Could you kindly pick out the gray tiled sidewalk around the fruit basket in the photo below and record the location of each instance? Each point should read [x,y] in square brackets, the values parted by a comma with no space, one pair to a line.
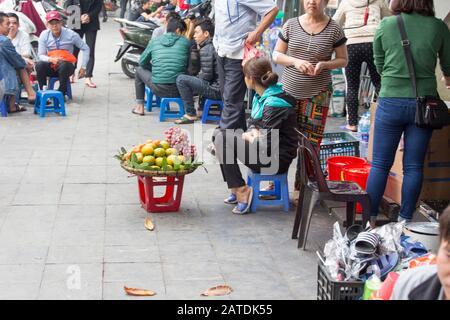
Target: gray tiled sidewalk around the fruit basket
[71,226]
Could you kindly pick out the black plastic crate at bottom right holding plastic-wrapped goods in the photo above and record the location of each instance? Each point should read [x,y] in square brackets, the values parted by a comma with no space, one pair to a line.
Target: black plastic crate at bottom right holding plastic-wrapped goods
[328,289]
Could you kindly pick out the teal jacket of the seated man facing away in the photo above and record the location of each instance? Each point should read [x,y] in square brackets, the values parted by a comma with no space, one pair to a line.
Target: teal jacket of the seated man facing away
[167,56]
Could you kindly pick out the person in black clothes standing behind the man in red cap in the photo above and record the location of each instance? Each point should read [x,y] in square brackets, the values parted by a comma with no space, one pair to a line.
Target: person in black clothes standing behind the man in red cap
[90,24]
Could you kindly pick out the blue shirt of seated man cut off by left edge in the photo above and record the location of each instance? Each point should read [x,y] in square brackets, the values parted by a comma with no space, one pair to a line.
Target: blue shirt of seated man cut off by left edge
[10,61]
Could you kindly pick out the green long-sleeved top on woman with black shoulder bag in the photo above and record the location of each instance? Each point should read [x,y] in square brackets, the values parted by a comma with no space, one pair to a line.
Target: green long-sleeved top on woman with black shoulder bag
[429,38]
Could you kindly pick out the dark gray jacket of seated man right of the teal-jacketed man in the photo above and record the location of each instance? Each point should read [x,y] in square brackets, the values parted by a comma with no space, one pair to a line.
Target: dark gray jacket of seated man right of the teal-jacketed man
[208,64]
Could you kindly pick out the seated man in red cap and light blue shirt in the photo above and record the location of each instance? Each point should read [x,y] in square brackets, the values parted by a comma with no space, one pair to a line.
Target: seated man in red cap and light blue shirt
[59,38]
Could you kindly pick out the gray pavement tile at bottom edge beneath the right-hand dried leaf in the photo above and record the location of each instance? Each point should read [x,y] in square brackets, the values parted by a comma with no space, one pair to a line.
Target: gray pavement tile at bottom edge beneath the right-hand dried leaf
[192,289]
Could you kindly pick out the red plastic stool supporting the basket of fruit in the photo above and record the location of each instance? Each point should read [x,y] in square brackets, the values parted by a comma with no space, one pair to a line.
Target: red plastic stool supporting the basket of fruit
[166,203]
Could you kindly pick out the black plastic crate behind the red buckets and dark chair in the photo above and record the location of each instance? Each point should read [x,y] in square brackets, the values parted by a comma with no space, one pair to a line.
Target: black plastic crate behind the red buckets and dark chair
[337,144]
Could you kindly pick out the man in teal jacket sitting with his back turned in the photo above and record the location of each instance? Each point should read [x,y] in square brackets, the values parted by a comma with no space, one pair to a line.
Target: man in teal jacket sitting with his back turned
[163,60]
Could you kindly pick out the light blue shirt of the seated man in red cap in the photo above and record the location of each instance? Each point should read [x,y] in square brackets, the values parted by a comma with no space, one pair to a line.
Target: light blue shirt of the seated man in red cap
[66,41]
